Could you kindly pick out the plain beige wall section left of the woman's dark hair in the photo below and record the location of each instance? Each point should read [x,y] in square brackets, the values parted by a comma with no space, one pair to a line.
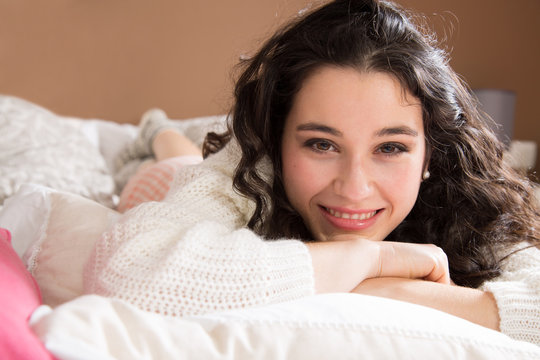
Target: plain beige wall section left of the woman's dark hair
[115,58]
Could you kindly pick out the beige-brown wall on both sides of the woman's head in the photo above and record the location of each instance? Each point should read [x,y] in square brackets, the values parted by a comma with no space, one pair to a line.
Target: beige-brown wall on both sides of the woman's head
[114,59]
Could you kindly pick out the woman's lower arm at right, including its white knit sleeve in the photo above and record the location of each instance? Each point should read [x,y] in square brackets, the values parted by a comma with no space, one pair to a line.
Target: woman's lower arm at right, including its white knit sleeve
[509,303]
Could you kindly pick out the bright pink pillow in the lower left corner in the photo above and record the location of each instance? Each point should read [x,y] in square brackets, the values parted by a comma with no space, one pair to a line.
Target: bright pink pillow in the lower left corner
[19,297]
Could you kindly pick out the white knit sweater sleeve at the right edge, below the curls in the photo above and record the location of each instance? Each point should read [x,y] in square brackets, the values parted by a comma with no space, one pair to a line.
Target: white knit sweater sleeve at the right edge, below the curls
[517,293]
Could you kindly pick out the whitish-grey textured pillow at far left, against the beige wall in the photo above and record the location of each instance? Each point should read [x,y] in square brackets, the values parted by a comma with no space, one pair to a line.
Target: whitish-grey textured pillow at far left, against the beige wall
[40,147]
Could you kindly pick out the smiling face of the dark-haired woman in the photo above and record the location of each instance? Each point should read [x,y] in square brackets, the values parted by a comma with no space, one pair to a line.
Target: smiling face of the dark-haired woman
[353,153]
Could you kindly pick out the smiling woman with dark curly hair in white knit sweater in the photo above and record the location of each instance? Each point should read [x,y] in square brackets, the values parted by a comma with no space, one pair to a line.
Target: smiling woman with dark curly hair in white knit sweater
[349,128]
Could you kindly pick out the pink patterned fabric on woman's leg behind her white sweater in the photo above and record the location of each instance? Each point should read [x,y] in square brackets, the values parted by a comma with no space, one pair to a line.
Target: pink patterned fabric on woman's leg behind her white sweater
[153,182]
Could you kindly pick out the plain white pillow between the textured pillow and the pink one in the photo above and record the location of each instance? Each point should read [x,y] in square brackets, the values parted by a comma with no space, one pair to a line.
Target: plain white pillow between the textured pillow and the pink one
[54,232]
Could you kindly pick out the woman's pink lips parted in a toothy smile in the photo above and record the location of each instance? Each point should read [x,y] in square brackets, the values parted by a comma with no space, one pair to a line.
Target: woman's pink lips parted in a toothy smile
[350,220]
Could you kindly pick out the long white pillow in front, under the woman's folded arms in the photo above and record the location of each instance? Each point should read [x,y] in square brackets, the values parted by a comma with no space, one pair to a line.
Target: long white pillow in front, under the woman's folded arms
[332,326]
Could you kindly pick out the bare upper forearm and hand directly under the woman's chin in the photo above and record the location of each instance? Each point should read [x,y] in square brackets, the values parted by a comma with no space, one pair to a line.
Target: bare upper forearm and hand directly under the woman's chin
[343,263]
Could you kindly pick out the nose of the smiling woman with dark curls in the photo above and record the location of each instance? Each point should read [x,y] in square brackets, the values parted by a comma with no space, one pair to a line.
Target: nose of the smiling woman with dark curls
[353,181]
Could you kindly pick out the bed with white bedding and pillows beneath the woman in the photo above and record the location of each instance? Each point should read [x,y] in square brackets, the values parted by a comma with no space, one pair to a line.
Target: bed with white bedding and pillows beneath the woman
[57,196]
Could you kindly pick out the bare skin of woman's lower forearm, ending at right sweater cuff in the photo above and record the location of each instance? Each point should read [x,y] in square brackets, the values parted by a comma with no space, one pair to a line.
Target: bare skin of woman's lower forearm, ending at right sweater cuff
[471,304]
